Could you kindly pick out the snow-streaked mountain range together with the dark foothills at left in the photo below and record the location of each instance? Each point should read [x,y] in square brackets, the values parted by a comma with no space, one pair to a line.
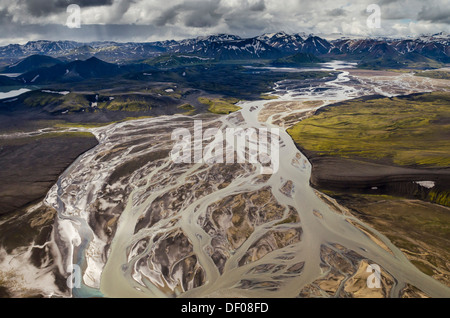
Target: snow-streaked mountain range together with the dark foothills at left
[42,62]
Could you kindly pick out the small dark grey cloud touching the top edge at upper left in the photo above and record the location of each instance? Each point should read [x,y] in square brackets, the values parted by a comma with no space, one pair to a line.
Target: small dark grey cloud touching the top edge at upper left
[40,8]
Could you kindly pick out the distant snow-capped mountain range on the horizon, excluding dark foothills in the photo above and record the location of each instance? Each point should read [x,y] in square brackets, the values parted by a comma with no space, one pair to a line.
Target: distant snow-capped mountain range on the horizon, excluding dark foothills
[231,47]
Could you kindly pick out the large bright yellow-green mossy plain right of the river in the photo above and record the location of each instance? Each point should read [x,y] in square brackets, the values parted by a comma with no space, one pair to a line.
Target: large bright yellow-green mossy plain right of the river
[412,130]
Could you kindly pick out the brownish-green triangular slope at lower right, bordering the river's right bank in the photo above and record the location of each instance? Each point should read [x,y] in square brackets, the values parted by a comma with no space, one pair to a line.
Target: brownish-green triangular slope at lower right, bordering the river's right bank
[420,229]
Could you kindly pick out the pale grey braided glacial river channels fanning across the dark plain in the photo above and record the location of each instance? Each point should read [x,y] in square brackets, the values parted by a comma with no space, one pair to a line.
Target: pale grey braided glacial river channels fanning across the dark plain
[79,188]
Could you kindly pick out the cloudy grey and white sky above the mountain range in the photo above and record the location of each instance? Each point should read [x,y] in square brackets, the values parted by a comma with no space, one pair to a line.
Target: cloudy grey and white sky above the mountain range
[149,20]
